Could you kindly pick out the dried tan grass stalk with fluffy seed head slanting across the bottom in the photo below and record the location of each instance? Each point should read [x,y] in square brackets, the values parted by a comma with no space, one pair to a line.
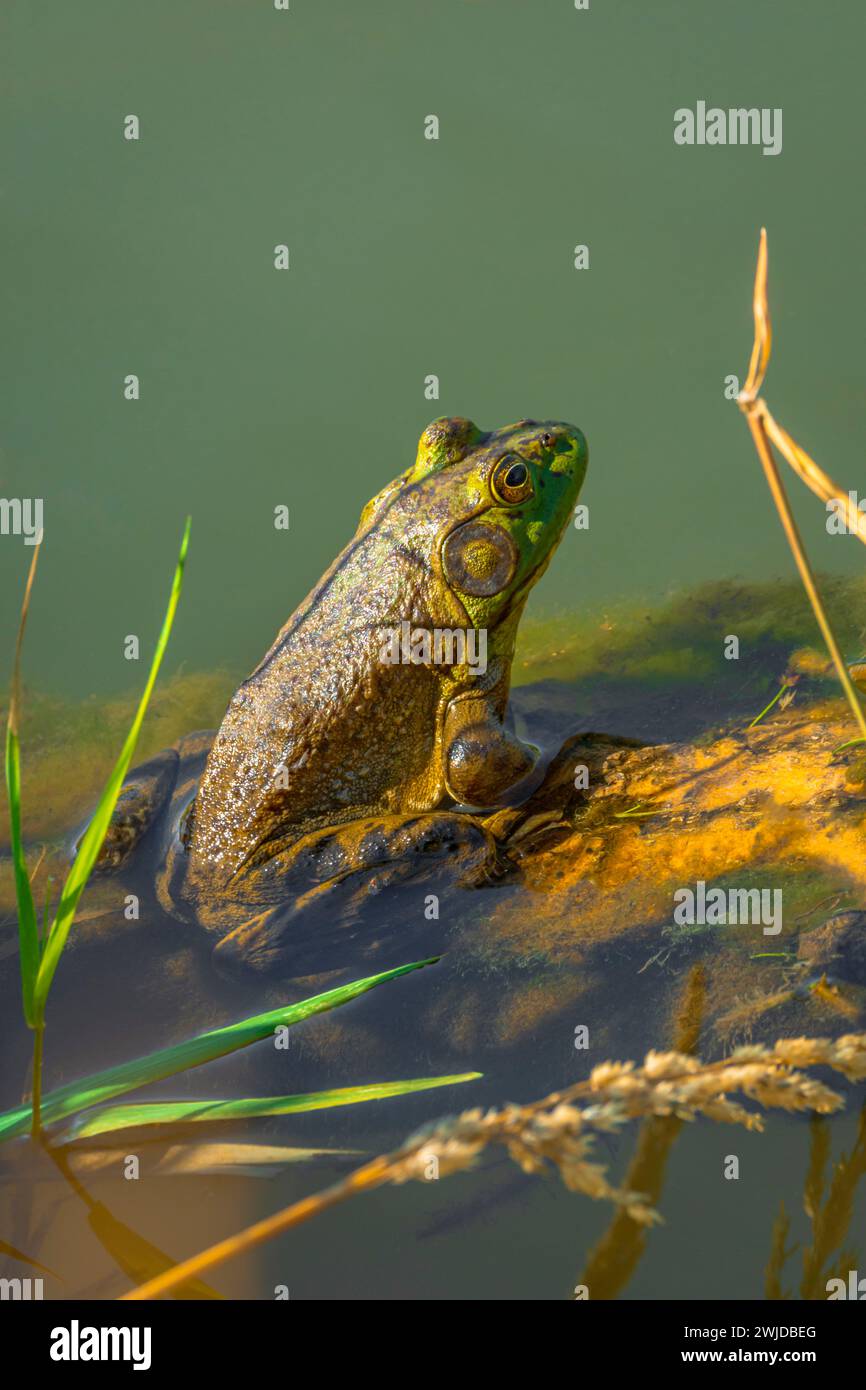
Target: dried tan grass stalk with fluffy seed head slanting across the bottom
[558,1131]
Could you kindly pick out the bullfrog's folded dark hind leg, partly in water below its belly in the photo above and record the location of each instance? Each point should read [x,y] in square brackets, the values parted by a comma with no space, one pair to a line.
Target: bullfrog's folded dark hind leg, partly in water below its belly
[341,871]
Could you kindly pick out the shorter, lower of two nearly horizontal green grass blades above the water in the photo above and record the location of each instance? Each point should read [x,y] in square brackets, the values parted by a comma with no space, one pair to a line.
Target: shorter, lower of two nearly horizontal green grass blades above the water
[113,1118]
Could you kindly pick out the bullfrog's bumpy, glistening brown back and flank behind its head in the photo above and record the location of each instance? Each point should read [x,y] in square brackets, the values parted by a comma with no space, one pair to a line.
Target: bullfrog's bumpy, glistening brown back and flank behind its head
[325,729]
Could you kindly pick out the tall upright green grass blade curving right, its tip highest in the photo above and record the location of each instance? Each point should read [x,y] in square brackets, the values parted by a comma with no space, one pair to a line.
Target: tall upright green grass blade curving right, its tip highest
[95,835]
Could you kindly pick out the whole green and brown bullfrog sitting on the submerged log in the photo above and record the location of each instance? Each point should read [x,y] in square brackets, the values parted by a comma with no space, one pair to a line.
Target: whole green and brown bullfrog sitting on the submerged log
[363,749]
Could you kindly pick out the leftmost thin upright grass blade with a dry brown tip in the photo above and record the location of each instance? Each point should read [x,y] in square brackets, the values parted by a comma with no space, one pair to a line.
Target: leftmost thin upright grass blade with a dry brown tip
[28,928]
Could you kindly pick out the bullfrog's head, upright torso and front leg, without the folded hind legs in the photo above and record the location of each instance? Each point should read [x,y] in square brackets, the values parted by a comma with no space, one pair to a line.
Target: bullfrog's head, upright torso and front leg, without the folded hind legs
[326,732]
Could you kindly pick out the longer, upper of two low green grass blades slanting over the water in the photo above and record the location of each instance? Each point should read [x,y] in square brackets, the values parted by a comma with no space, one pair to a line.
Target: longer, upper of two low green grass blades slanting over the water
[208,1047]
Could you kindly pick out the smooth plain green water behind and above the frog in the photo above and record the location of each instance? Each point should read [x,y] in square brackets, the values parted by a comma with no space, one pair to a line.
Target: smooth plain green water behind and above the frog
[408,258]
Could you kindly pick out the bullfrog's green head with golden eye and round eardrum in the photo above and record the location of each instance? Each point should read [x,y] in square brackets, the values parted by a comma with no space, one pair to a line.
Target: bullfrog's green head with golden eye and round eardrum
[508,498]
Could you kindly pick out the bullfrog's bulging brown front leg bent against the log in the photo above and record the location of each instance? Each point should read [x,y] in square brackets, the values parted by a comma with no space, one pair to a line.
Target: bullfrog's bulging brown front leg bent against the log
[484,761]
